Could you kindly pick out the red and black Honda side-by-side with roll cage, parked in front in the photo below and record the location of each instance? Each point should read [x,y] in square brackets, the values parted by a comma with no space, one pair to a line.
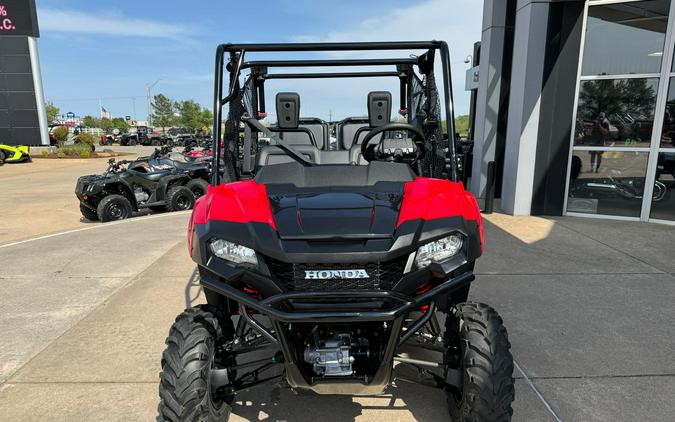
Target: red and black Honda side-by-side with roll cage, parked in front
[337,268]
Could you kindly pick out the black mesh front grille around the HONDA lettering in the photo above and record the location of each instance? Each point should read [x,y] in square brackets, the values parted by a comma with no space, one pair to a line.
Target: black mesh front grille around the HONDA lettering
[382,275]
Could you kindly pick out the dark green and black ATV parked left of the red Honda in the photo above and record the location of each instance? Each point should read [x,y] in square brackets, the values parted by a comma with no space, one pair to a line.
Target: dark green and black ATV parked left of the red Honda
[128,186]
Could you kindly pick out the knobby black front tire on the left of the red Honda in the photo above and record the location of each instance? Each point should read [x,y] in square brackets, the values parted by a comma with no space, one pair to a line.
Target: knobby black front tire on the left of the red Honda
[184,381]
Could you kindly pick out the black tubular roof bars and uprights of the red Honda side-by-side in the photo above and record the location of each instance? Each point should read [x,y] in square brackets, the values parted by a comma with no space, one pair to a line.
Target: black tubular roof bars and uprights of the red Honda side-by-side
[238,51]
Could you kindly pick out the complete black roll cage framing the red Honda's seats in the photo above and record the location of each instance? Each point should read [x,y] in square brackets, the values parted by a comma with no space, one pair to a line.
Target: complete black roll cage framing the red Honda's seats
[237,63]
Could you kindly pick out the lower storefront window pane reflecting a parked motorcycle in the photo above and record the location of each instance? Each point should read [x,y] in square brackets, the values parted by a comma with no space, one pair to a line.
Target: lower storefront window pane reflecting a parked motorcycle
[607,182]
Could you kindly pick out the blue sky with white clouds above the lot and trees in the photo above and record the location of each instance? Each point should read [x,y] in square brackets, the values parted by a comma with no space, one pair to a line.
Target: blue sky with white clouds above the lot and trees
[111,51]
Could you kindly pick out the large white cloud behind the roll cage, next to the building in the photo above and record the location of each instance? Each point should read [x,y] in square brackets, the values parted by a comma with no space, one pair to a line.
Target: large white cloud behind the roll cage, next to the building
[458,22]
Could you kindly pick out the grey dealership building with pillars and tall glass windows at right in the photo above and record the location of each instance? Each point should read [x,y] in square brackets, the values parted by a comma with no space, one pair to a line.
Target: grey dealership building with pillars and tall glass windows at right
[575,106]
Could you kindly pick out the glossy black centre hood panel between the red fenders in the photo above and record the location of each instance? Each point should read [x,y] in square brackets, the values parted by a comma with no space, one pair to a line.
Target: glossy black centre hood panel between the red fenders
[346,213]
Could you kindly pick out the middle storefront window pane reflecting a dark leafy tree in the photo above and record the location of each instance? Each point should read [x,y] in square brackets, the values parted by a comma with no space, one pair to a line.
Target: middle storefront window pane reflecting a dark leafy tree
[616,112]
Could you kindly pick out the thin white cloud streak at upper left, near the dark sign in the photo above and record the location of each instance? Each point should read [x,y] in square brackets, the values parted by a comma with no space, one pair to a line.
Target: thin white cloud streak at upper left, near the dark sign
[106,23]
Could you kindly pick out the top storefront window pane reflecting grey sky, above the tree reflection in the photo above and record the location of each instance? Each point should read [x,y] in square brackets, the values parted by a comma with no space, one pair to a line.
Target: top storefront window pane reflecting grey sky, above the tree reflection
[625,38]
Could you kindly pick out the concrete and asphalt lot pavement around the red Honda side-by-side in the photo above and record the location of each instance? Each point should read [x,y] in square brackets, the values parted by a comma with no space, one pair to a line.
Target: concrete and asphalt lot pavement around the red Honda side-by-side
[86,308]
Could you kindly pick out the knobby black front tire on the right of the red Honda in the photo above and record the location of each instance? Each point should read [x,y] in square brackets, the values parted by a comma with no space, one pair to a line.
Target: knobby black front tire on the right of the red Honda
[486,361]
